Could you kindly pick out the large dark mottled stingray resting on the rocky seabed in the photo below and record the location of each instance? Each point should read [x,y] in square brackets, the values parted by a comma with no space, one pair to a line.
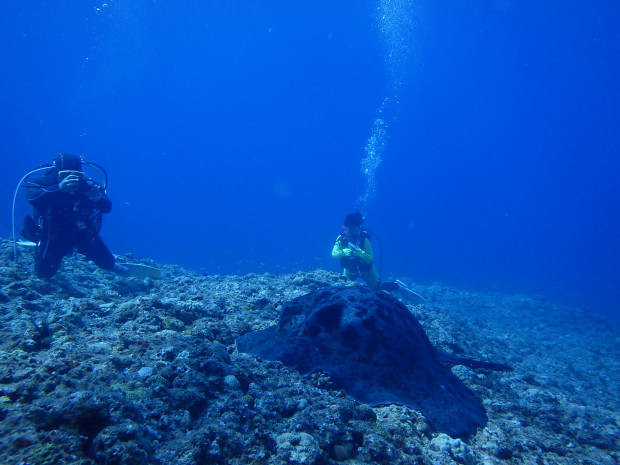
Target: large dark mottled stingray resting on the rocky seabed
[373,347]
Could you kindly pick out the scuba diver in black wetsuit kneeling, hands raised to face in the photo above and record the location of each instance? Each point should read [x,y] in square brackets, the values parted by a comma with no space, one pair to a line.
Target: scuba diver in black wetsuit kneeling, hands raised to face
[67,212]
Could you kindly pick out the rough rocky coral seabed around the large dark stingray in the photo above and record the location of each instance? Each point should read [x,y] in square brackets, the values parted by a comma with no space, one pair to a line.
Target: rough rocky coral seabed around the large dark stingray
[96,368]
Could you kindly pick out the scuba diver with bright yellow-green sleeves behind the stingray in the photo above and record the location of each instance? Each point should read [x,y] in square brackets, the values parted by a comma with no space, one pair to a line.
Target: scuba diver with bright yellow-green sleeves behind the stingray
[354,251]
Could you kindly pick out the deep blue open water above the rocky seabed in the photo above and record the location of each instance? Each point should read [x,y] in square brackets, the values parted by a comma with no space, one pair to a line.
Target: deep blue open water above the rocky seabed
[479,138]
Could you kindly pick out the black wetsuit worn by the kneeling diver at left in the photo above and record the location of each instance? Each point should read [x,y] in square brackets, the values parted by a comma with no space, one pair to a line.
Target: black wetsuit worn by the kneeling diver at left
[67,222]
